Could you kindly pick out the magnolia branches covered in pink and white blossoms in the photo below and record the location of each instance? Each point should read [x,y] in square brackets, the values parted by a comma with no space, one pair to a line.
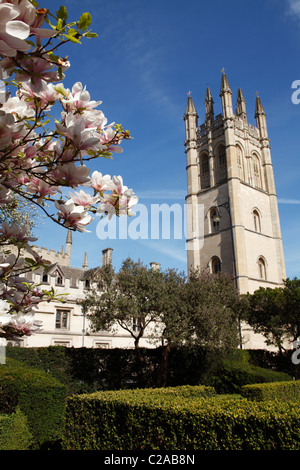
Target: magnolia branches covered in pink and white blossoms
[40,155]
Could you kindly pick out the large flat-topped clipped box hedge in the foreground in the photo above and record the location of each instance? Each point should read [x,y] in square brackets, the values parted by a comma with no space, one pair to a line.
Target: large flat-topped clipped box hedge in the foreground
[162,420]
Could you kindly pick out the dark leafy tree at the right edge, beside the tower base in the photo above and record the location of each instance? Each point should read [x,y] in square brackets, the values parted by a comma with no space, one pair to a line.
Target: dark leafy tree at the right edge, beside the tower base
[275,313]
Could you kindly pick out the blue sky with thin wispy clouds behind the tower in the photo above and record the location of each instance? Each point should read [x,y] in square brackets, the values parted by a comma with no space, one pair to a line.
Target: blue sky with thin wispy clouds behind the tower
[147,57]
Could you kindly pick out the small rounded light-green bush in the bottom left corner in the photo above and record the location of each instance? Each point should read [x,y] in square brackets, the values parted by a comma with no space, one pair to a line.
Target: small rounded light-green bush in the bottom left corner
[14,432]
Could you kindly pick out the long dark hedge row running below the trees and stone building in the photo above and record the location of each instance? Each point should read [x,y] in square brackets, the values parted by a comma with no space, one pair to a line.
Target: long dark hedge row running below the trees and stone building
[85,370]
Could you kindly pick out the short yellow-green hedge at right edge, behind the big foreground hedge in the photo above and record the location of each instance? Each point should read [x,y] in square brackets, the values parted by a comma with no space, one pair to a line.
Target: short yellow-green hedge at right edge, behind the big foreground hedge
[289,390]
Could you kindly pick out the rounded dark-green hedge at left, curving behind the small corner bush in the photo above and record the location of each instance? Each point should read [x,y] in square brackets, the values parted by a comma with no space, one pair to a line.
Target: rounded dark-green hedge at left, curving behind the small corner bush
[39,396]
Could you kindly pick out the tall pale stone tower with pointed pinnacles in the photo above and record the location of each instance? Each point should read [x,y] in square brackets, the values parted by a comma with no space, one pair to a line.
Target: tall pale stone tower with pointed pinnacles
[230,176]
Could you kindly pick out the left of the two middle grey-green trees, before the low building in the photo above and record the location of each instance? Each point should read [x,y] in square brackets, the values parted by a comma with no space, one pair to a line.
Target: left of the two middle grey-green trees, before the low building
[131,299]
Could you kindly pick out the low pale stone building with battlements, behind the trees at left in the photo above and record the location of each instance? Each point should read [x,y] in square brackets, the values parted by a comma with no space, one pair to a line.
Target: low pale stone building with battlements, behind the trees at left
[66,324]
